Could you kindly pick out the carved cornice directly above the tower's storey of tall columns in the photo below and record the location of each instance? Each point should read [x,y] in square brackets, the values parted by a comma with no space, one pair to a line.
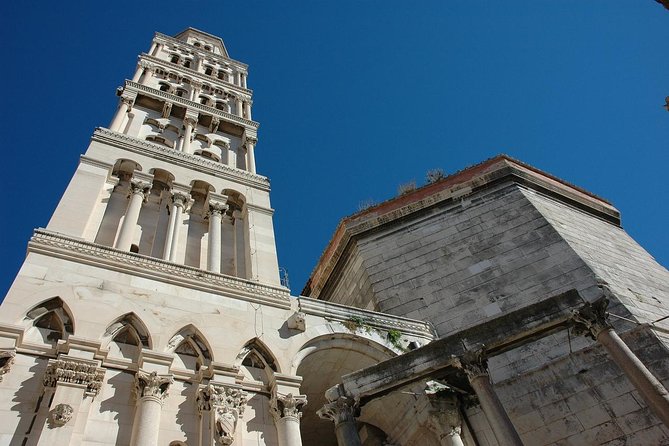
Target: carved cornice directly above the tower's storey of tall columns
[194,162]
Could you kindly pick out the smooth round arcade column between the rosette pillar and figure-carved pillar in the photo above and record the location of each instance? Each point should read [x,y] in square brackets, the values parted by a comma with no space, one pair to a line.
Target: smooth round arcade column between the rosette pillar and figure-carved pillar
[151,391]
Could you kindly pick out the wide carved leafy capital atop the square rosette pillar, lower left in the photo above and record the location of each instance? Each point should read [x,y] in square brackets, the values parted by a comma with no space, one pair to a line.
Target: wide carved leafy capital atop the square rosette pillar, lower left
[74,372]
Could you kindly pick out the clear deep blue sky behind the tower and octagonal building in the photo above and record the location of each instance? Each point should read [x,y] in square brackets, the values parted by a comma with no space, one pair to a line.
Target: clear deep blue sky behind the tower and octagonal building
[356,97]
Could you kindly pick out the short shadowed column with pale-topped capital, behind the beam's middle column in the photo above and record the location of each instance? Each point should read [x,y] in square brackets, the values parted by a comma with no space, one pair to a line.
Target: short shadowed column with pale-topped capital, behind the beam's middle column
[445,413]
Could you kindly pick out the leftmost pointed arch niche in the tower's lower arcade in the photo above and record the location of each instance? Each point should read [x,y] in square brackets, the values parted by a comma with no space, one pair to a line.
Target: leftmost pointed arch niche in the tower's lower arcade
[49,321]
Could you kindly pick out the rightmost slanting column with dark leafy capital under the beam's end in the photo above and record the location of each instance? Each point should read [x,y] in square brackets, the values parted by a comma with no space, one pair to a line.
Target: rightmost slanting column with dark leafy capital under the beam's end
[592,320]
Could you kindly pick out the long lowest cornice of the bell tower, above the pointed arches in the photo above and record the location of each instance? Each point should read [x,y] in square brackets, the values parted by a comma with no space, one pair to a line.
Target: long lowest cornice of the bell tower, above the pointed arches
[76,250]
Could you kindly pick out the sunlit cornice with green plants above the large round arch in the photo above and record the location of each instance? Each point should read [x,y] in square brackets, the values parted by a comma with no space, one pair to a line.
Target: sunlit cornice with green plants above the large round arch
[342,313]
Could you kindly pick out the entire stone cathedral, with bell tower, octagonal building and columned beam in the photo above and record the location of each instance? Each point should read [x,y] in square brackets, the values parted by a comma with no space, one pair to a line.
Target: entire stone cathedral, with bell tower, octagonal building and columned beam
[496,306]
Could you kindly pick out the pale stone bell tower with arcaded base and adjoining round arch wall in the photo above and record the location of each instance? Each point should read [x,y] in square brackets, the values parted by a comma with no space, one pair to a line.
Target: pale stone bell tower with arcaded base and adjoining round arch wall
[150,311]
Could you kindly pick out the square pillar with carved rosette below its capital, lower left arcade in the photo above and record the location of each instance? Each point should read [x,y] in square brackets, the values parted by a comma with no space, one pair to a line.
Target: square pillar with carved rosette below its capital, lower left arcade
[71,384]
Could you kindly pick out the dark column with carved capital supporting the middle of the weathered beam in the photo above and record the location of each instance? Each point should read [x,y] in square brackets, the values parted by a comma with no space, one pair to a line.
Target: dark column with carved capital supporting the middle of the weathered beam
[475,366]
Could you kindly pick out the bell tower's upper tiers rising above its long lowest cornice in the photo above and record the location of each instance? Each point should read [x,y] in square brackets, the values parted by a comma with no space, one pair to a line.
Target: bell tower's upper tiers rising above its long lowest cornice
[174,176]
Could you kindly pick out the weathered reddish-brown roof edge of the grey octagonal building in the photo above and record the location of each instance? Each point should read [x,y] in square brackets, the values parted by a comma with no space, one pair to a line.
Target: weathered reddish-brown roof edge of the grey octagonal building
[459,184]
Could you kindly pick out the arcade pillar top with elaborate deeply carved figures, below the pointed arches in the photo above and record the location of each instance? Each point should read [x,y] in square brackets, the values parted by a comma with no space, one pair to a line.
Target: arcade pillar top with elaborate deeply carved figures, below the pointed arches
[224,406]
